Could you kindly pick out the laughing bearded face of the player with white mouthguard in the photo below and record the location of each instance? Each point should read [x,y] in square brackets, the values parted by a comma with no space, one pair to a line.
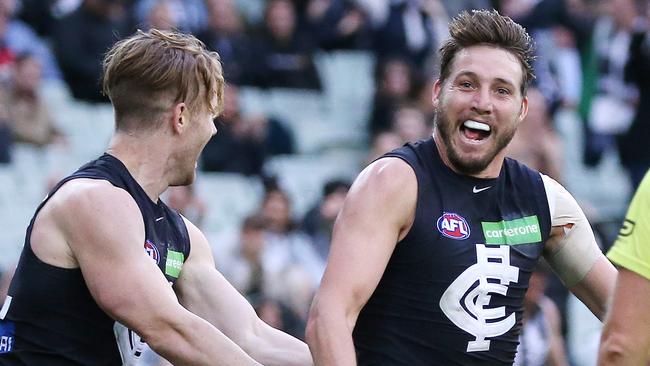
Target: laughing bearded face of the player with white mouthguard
[478,107]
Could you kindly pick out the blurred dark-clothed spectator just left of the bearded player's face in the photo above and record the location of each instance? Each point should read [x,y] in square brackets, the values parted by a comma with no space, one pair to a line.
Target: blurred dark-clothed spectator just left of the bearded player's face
[394,81]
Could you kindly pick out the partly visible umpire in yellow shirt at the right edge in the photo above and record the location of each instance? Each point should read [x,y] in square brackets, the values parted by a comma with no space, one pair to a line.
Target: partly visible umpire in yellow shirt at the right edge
[626,336]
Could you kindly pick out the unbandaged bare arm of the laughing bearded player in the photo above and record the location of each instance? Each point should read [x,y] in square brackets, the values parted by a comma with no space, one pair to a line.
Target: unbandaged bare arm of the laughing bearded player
[378,212]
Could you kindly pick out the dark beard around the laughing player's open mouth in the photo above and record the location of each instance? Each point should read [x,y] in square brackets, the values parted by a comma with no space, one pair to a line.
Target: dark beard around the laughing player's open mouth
[471,167]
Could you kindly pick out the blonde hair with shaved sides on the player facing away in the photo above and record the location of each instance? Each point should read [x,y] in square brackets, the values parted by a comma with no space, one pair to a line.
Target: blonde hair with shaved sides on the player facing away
[145,73]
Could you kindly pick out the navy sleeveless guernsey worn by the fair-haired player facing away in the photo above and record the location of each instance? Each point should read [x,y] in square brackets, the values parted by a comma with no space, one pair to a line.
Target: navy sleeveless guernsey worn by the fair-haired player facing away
[50,318]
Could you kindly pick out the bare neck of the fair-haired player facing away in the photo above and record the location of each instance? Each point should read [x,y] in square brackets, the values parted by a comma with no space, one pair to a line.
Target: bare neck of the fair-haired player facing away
[146,160]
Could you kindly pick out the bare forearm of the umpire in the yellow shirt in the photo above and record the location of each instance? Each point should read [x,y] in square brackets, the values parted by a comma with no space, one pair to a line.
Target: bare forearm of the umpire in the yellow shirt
[626,336]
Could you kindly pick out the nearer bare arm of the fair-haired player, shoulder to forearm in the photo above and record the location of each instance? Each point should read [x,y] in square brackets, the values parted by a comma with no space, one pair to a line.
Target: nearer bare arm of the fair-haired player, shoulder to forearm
[105,232]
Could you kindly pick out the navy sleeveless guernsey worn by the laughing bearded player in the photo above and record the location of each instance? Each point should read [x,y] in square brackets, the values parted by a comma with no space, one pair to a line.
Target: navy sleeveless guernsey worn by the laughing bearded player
[452,292]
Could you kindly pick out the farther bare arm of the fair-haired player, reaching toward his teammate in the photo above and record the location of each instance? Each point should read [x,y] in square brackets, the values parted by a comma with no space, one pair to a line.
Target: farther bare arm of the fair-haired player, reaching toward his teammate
[205,292]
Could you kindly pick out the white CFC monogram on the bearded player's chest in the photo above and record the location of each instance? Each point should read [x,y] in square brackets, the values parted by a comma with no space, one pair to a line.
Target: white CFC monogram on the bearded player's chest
[472,313]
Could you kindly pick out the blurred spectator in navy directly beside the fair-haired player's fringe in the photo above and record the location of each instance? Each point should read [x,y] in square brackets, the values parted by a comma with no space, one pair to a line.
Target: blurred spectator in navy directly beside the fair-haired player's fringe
[225,34]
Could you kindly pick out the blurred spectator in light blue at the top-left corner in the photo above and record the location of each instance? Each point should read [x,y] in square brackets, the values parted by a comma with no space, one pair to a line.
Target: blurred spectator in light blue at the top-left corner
[18,37]
